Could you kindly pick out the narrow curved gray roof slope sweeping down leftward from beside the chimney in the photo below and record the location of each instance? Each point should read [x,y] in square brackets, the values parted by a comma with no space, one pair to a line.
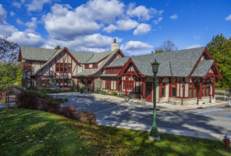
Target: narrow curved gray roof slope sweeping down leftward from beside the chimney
[87,72]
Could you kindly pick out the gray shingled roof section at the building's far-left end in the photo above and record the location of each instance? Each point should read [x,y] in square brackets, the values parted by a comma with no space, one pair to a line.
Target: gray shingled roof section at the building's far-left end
[38,54]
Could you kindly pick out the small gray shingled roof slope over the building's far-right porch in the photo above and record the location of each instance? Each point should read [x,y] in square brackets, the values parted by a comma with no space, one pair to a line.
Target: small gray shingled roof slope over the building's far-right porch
[202,68]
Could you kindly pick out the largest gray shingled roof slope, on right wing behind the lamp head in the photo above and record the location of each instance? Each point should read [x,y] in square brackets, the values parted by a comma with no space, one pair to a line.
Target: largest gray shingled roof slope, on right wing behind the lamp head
[182,62]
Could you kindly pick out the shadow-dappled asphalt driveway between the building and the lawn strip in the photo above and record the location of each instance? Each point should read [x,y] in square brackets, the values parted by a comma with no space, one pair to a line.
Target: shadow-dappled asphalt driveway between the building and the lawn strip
[210,120]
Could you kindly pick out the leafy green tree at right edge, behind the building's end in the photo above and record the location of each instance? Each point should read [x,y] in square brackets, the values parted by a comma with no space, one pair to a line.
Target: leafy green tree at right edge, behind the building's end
[220,50]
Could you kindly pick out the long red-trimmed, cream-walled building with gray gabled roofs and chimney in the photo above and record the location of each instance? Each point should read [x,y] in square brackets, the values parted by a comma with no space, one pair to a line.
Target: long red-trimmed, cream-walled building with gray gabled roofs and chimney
[184,77]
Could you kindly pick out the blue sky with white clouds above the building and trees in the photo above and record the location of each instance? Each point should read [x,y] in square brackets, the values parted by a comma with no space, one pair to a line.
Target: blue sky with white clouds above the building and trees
[90,26]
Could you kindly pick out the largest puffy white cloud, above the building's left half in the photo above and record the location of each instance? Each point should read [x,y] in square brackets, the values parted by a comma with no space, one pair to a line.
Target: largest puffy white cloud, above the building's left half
[66,25]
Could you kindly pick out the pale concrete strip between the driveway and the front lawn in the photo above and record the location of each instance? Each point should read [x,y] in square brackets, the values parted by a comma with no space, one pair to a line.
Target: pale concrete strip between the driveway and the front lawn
[142,127]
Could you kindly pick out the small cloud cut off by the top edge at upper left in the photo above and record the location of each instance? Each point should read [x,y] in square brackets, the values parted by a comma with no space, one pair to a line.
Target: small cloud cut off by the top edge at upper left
[37,5]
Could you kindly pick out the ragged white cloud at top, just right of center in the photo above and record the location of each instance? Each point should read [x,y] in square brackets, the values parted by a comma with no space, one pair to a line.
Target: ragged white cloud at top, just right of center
[142,12]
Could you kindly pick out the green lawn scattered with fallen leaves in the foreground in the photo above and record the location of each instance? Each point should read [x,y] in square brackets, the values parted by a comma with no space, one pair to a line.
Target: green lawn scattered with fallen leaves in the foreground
[29,132]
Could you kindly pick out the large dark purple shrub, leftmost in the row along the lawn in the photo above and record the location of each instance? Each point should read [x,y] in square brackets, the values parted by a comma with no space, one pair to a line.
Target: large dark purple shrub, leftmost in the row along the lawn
[27,100]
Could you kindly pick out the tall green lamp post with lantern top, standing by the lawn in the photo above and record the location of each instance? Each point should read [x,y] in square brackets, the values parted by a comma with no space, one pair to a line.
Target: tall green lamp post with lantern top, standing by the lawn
[154,135]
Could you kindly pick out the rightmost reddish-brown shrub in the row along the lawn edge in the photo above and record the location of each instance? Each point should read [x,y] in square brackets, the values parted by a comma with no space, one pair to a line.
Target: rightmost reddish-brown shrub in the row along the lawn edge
[87,118]
